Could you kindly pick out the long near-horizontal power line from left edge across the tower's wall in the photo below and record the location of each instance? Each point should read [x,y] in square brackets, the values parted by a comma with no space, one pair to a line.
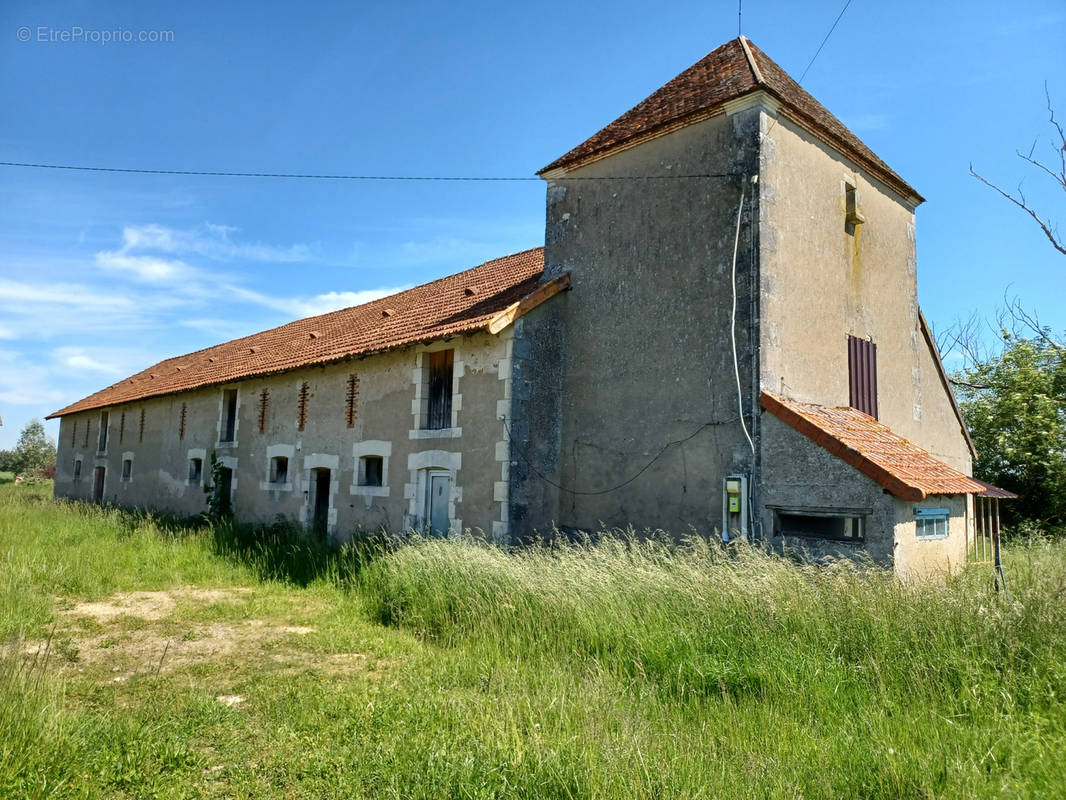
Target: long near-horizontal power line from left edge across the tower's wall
[328,177]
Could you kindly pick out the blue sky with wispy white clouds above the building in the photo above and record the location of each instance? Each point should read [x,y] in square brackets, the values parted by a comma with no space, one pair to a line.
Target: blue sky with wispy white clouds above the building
[103,275]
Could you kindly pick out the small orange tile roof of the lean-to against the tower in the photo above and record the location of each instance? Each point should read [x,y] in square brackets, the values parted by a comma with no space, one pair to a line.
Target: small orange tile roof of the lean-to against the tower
[903,469]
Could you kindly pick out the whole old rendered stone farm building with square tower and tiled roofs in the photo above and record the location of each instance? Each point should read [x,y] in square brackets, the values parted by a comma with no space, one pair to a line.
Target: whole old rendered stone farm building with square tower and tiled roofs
[721,333]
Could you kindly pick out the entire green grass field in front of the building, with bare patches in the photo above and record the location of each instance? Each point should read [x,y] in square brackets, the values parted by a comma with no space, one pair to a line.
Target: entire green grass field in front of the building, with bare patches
[147,659]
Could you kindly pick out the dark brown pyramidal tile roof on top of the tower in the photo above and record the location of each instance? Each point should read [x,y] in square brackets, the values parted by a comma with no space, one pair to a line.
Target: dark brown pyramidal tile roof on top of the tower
[701,91]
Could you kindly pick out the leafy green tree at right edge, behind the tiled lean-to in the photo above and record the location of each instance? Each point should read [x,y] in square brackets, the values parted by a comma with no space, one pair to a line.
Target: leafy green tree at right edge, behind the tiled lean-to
[1015,407]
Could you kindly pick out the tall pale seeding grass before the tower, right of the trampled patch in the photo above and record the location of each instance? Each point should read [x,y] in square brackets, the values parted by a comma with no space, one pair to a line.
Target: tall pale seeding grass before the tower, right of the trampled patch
[907,690]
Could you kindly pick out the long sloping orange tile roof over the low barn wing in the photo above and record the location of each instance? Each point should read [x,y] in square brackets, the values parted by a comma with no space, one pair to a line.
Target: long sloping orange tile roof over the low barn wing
[462,303]
